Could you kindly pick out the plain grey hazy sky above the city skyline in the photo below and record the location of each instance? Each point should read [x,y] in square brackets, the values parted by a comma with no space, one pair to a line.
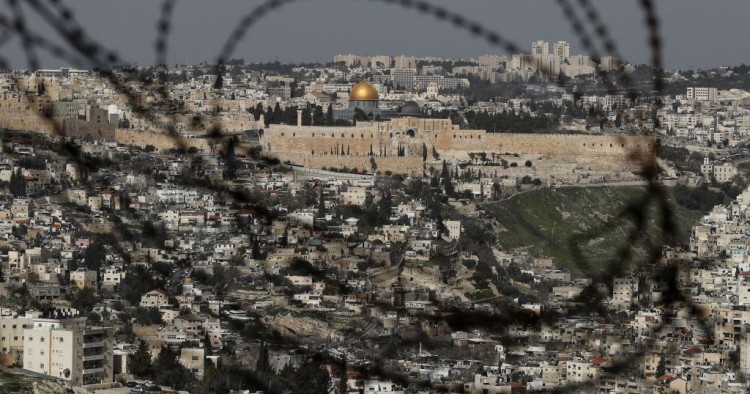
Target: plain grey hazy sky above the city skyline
[696,33]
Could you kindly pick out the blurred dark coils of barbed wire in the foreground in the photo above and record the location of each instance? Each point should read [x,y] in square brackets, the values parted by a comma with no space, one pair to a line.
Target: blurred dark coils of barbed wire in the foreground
[87,53]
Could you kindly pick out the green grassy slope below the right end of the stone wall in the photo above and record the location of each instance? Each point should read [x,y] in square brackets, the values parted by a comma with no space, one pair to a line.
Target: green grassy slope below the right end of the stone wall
[594,221]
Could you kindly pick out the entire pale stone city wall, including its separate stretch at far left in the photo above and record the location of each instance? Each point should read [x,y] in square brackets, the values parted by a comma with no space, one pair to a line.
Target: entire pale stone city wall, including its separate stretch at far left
[396,145]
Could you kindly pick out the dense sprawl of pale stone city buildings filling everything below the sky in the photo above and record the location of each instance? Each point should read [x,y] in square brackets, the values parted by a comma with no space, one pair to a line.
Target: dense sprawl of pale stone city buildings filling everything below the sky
[212,242]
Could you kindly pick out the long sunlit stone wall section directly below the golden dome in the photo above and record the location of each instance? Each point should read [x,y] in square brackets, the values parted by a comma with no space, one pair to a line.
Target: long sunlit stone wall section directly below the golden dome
[314,146]
